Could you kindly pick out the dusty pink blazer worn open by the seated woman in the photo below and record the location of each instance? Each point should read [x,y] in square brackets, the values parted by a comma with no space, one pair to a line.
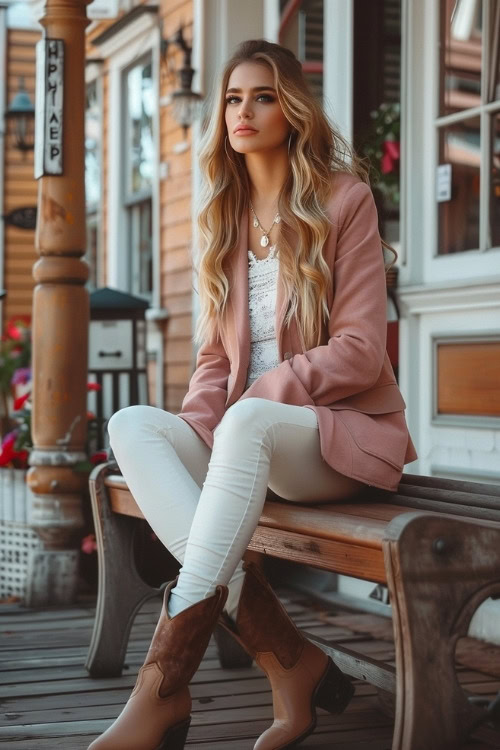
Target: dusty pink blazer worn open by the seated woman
[348,380]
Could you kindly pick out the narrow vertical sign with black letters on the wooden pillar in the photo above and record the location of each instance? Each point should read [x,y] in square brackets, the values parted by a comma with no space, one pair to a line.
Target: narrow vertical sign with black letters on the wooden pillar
[49,107]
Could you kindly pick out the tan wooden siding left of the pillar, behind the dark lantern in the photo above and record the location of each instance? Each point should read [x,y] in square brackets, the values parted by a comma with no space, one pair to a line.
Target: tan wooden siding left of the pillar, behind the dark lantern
[20,186]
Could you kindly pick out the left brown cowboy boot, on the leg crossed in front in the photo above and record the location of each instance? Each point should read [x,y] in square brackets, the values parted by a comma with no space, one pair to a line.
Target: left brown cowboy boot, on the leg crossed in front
[158,712]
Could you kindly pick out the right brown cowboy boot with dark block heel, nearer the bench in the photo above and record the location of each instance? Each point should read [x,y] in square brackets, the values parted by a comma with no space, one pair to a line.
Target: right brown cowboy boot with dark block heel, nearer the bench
[302,676]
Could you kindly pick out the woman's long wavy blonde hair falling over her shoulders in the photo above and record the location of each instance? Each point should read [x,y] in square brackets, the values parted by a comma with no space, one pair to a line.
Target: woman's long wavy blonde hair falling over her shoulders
[316,150]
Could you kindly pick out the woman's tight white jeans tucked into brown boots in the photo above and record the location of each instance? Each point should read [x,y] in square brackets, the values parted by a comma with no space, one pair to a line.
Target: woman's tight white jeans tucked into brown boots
[205,505]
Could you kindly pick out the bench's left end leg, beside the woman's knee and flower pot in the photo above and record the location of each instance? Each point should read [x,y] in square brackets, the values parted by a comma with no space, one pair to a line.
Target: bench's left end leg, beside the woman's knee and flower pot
[121,591]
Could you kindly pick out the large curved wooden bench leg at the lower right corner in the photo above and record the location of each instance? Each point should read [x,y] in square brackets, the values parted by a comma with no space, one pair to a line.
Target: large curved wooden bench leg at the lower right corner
[439,569]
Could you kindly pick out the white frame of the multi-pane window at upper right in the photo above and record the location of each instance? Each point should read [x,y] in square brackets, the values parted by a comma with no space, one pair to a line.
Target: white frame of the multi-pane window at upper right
[419,230]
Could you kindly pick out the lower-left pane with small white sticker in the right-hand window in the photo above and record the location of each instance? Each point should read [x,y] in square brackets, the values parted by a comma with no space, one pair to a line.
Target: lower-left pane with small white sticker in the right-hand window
[459,217]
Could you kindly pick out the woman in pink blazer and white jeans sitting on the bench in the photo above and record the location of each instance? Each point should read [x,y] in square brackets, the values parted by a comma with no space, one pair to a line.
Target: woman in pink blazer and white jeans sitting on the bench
[293,315]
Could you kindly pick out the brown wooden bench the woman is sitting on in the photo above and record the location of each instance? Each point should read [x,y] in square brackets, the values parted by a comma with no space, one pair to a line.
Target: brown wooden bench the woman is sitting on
[435,543]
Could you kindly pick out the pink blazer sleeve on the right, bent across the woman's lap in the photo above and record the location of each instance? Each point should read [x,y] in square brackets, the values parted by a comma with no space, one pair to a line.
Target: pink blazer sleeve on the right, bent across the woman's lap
[352,359]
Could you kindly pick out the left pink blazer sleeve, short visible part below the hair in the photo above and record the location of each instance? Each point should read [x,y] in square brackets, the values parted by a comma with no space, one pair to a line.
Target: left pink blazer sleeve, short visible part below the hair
[205,402]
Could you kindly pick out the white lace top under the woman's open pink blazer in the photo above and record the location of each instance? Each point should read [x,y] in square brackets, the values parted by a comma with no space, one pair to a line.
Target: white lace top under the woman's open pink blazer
[262,287]
